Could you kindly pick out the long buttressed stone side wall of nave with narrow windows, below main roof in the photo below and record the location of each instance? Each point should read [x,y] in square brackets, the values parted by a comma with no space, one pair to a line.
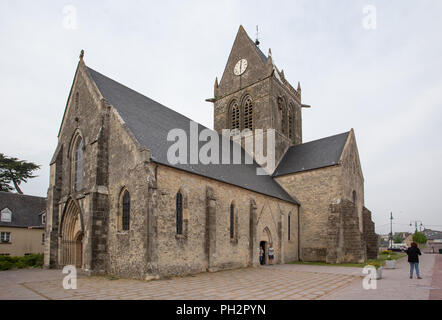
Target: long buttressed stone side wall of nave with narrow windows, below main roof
[206,244]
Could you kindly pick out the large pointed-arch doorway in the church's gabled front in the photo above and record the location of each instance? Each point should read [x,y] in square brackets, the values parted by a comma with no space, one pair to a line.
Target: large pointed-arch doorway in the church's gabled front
[71,236]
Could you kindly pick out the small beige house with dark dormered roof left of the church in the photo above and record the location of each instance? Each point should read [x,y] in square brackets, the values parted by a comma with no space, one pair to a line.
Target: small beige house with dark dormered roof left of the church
[22,219]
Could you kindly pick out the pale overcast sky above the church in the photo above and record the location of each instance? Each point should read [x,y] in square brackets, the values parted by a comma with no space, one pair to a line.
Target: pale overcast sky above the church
[386,83]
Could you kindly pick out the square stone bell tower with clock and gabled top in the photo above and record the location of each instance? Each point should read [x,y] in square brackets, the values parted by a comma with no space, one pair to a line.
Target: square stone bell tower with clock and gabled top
[254,94]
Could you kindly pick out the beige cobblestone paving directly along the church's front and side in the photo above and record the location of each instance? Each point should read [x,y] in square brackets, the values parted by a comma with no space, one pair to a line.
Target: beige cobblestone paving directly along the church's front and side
[270,282]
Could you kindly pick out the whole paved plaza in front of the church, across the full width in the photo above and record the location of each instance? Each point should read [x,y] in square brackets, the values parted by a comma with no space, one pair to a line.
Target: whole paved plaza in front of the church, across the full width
[297,282]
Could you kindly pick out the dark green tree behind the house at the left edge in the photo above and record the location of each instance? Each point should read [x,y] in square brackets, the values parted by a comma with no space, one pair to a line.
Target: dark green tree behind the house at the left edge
[14,171]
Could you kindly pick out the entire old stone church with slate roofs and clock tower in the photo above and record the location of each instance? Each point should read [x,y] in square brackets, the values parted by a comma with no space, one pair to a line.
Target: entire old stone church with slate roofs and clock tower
[116,205]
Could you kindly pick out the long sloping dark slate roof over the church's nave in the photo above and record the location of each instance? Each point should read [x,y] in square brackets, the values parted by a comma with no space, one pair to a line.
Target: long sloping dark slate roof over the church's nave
[150,123]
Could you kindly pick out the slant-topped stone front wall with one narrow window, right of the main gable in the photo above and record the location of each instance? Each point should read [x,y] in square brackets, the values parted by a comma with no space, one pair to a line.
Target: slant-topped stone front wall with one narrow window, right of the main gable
[128,170]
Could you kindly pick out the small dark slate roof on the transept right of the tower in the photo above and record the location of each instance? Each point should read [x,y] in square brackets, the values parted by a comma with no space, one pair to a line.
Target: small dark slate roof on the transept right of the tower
[312,155]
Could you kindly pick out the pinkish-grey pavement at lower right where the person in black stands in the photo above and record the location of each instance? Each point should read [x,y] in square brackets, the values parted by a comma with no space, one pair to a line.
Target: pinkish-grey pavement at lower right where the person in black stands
[396,283]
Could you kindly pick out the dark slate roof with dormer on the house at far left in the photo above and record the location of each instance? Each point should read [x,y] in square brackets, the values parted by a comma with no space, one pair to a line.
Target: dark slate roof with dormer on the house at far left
[26,210]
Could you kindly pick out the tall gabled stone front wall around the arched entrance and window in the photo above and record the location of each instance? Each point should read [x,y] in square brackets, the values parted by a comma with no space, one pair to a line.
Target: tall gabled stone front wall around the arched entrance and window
[84,115]
